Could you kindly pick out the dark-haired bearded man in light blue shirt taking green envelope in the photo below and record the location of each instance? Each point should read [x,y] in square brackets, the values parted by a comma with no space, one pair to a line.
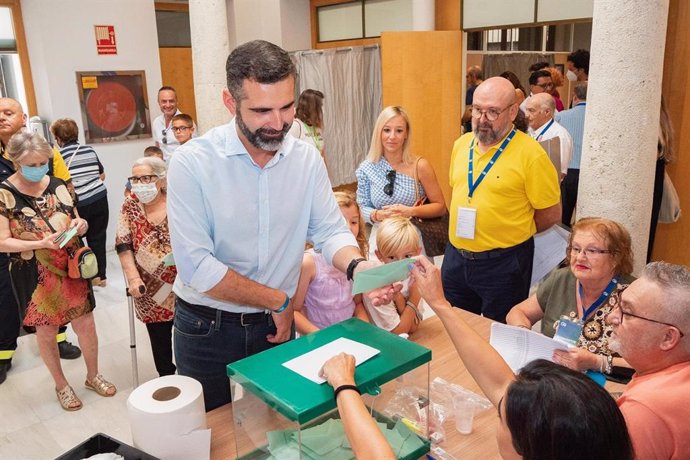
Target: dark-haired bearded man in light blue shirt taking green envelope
[242,201]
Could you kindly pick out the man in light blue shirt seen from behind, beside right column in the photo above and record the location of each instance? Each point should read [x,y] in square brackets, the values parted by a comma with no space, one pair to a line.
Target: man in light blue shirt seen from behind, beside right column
[574,121]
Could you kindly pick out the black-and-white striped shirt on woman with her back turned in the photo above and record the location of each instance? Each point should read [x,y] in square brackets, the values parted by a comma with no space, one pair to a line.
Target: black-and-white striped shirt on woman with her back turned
[85,169]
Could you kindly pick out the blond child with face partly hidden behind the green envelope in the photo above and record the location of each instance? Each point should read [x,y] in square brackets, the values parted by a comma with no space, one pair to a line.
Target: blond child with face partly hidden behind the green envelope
[397,239]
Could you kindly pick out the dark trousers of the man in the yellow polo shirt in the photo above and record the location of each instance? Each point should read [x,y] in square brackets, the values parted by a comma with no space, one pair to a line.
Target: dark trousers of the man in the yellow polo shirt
[491,283]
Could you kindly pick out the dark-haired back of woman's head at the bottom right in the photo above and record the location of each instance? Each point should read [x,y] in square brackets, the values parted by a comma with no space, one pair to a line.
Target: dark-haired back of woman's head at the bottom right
[556,413]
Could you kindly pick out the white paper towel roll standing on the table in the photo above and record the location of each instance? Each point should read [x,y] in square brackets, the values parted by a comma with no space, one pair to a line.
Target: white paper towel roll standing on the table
[168,419]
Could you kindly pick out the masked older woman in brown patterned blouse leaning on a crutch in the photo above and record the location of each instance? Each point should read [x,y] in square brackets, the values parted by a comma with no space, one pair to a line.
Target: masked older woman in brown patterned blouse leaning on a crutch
[142,243]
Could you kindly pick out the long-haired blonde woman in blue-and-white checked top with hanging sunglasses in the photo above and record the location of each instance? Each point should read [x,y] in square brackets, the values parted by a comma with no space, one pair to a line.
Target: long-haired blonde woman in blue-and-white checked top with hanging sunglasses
[391,180]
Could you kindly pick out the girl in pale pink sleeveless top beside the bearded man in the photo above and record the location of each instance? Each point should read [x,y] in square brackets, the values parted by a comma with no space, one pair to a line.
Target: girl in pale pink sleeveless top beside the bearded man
[324,294]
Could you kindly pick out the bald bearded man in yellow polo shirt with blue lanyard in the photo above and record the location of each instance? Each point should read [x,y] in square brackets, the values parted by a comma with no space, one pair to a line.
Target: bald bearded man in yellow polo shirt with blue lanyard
[505,189]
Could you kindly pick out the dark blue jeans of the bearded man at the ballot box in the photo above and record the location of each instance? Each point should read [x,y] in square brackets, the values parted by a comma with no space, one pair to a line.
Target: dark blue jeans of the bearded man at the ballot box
[207,340]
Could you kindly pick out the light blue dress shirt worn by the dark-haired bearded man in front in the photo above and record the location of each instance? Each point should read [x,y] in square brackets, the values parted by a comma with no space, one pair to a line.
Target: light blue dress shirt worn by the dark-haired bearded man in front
[225,211]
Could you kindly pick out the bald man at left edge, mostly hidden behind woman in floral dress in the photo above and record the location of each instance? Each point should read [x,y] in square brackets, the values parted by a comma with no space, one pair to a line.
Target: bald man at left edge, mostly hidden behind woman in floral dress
[12,120]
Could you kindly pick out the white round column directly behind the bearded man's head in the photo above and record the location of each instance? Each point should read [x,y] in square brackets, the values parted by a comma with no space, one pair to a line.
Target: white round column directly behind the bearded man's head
[210,48]
